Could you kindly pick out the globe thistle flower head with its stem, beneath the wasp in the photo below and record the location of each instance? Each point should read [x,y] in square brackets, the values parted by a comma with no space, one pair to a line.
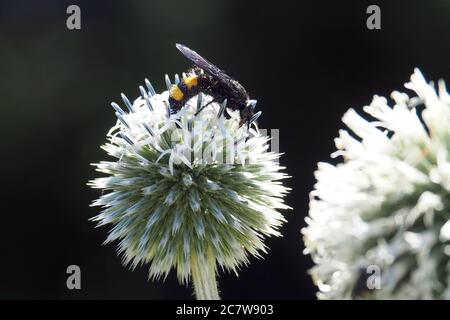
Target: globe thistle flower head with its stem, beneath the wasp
[190,191]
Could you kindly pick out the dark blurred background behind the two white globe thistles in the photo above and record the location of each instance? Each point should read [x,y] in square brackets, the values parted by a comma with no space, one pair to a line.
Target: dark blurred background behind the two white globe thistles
[305,61]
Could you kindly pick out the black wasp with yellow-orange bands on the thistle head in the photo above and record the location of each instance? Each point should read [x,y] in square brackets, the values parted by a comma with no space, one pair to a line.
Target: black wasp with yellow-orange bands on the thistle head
[206,78]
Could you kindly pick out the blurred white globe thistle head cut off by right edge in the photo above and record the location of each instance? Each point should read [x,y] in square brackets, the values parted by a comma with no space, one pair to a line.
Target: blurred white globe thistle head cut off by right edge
[386,207]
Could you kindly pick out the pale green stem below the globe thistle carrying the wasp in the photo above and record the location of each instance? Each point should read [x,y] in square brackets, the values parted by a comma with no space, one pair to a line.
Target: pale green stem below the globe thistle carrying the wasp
[204,277]
